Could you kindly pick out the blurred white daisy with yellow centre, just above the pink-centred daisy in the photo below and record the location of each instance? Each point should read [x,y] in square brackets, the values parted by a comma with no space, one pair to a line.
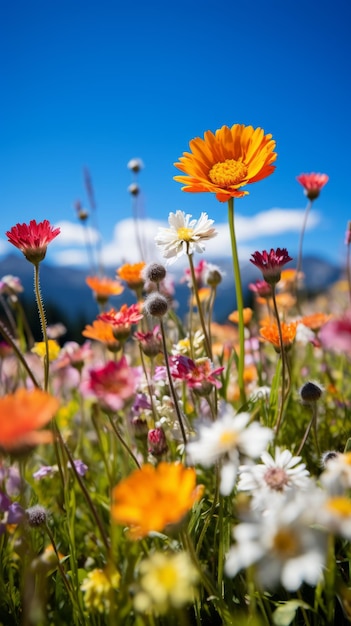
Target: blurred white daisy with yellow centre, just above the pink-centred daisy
[229,438]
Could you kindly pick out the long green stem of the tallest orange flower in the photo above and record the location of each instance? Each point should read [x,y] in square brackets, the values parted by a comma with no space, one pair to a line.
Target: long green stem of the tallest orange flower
[239,300]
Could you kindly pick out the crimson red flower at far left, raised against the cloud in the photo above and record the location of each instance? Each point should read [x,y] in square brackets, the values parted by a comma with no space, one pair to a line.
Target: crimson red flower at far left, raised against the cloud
[32,239]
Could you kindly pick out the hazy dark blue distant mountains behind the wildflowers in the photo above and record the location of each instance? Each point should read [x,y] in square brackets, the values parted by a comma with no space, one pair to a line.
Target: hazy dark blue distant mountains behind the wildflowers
[65,289]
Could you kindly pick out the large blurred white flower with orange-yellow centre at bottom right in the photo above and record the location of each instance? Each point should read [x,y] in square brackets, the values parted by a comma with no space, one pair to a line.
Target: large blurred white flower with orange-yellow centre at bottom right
[284,546]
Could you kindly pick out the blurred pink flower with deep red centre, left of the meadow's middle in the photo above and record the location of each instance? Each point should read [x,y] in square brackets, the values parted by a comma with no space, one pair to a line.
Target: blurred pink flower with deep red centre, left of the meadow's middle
[112,384]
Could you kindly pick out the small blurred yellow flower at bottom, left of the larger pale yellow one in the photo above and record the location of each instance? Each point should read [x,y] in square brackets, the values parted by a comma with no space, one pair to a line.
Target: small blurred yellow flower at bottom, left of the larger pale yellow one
[98,586]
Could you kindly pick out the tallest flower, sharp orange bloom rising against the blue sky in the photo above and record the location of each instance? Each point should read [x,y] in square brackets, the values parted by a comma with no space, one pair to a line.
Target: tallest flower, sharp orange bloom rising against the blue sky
[224,162]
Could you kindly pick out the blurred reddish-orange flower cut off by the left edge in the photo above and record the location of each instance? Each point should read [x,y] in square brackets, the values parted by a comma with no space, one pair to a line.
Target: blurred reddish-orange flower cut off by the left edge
[21,414]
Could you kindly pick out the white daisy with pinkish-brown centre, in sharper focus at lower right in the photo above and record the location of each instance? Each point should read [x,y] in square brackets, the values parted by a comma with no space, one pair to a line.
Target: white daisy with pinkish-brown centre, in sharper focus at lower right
[273,477]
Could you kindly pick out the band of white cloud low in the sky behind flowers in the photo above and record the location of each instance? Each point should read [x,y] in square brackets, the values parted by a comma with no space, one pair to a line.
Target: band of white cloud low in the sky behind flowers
[132,242]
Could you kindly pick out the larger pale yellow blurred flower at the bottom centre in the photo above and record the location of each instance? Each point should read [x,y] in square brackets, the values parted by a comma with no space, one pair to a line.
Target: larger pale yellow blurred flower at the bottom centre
[167,582]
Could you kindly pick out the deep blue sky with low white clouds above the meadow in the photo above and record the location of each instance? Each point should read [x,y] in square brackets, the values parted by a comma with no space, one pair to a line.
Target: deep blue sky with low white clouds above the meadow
[97,83]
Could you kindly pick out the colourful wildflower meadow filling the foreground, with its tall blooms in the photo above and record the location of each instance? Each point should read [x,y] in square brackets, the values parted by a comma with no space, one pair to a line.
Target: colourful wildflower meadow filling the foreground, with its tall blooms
[174,470]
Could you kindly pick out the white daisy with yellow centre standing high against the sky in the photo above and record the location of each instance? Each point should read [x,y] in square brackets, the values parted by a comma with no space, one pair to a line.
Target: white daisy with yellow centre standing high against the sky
[185,235]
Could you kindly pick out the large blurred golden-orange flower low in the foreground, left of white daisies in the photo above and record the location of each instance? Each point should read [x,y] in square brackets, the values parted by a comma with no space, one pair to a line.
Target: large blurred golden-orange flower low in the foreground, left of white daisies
[153,497]
